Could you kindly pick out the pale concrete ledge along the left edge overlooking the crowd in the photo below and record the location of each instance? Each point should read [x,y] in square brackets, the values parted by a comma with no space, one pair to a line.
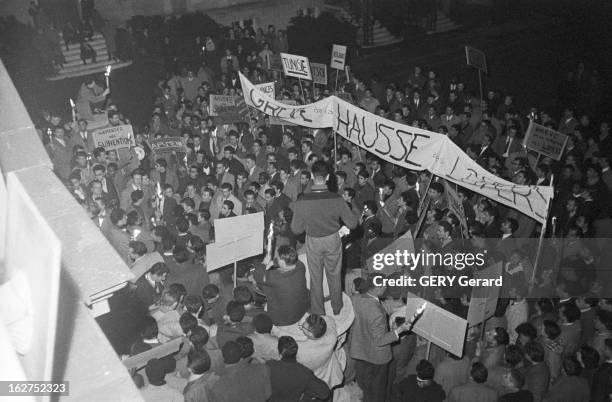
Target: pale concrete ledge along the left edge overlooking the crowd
[90,268]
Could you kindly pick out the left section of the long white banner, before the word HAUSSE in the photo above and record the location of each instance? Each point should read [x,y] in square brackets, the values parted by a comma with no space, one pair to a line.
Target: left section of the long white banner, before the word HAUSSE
[315,115]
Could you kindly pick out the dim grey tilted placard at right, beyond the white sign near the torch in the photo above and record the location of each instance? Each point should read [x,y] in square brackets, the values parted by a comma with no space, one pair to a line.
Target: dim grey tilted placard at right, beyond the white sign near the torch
[483,301]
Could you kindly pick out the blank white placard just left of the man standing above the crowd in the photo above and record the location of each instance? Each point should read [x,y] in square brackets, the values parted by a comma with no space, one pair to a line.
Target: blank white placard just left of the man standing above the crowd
[236,238]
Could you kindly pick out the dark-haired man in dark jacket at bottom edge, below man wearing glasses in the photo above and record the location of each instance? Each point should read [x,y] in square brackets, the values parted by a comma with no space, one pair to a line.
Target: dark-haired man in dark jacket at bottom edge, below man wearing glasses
[291,381]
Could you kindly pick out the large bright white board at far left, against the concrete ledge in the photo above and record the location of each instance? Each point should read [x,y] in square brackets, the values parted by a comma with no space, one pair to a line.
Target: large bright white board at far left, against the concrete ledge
[29,296]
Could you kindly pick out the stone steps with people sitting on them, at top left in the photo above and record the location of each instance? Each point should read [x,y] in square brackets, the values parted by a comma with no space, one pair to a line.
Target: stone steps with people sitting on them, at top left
[74,66]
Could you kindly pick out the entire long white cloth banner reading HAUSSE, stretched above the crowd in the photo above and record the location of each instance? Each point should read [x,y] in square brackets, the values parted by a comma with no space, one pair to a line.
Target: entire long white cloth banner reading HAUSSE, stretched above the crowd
[406,146]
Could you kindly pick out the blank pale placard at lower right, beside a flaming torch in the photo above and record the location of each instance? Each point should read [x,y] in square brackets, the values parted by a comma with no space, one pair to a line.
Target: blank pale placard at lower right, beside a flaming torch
[438,325]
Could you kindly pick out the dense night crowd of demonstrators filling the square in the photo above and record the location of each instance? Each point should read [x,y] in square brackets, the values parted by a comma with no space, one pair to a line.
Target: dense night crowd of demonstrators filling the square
[286,332]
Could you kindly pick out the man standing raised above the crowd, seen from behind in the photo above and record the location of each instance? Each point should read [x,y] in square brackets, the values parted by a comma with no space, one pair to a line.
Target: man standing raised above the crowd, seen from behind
[318,213]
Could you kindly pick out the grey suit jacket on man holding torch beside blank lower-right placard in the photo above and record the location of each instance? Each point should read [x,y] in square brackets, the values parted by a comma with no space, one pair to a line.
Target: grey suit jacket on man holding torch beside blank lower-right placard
[370,338]
